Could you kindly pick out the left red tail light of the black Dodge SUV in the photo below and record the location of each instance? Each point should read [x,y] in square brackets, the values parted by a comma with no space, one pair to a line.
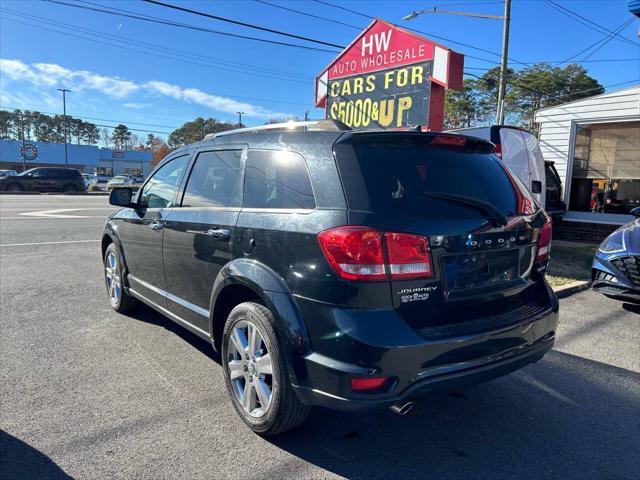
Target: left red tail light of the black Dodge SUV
[363,253]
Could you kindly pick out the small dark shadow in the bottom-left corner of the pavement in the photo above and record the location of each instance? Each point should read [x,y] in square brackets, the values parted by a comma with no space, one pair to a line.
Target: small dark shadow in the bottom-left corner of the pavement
[20,461]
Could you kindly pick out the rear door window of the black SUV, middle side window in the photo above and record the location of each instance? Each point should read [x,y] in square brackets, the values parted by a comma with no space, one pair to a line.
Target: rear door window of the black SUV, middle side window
[214,180]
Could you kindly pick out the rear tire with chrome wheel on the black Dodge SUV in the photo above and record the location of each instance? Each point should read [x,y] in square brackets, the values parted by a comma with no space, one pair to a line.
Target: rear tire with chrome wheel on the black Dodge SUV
[284,410]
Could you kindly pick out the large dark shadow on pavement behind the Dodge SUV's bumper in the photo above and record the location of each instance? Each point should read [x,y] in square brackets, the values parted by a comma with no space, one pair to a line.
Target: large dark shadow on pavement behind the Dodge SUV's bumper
[565,417]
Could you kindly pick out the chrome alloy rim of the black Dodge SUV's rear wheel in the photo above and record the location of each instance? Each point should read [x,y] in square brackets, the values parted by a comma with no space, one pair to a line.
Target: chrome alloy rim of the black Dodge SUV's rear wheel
[249,364]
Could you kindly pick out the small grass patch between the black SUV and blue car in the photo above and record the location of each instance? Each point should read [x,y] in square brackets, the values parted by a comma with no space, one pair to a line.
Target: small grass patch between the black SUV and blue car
[570,264]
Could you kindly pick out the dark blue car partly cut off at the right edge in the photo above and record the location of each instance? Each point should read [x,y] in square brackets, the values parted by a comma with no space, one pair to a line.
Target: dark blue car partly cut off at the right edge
[616,265]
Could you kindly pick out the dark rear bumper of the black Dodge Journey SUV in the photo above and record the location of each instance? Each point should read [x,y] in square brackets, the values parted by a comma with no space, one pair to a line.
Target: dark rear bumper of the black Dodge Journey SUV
[421,367]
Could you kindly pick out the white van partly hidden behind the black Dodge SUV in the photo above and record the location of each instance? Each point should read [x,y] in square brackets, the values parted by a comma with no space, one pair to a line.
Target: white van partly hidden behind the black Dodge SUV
[520,150]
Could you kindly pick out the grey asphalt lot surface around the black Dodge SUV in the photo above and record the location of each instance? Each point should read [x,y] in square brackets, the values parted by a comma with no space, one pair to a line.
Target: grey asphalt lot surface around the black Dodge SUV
[88,393]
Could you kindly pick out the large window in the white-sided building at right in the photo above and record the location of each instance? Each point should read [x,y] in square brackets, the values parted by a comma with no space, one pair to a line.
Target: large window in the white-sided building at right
[606,168]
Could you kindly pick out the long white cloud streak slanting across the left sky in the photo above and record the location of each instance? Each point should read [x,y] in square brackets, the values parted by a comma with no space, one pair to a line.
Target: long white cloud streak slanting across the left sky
[51,75]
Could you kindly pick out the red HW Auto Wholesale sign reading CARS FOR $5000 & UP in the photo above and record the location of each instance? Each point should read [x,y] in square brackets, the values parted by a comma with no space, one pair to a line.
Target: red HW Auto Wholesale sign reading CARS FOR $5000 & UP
[389,77]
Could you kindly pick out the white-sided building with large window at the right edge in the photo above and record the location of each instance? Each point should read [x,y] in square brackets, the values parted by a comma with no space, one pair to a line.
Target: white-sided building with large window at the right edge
[595,144]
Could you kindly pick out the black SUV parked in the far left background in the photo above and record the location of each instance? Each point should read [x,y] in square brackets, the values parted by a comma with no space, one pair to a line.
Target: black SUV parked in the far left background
[44,180]
